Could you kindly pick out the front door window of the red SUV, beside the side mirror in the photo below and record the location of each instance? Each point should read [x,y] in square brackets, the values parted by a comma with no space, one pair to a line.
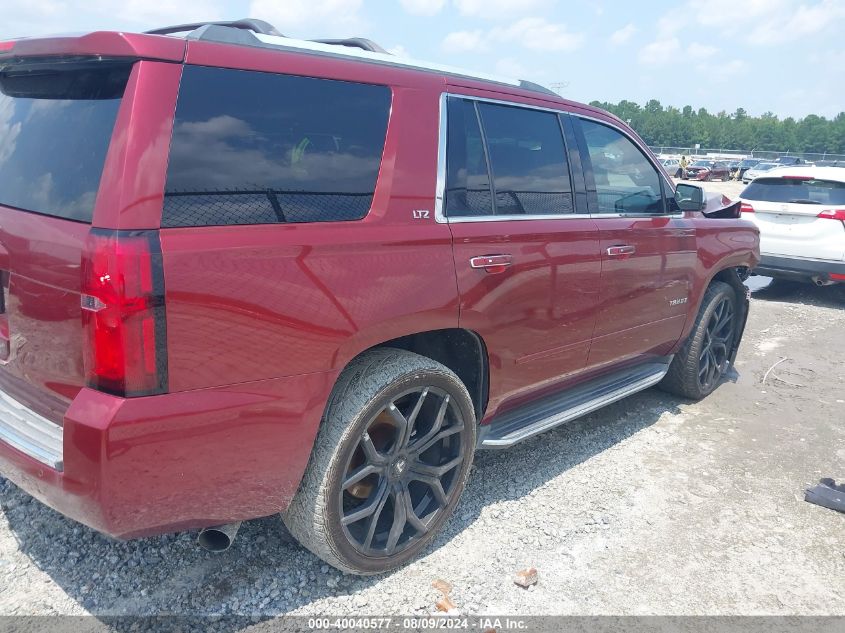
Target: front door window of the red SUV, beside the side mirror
[625,180]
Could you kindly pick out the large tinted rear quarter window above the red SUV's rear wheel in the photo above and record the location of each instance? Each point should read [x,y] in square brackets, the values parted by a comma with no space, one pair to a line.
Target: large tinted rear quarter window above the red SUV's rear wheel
[260,148]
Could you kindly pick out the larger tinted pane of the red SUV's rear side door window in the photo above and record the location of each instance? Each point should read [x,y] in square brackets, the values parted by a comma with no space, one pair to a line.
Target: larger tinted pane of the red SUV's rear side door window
[527,160]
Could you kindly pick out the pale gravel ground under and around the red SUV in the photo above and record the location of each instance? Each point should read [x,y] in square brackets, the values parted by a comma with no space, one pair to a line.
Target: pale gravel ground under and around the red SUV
[652,506]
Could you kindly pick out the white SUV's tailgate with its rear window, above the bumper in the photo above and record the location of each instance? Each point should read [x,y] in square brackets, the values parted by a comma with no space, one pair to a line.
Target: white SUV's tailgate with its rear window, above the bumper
[798,216]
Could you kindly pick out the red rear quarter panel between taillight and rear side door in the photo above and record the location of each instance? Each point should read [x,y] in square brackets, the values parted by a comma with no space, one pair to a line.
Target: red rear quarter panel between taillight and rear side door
[265,301]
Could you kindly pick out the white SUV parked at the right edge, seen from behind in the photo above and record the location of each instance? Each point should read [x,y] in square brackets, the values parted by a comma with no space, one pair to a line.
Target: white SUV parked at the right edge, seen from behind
[800,212]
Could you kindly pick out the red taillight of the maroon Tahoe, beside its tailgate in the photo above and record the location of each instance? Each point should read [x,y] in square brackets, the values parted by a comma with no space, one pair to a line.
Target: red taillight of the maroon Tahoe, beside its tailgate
[123,313]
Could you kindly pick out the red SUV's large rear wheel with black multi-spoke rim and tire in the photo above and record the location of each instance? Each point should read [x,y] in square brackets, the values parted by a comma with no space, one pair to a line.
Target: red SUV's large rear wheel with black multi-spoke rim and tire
[361,433]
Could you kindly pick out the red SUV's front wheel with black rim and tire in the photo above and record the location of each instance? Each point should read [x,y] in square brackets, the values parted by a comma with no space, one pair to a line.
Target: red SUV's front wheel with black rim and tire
[685,373]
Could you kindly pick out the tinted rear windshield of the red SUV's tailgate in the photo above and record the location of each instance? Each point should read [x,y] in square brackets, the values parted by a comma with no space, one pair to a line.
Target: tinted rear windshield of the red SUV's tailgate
[56,123]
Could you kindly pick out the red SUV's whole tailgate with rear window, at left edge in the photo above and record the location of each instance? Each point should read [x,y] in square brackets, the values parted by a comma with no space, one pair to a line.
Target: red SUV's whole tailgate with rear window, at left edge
[56,123]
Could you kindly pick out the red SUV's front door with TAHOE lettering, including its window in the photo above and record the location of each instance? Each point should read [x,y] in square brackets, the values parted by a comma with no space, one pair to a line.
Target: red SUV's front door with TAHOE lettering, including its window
[648,250]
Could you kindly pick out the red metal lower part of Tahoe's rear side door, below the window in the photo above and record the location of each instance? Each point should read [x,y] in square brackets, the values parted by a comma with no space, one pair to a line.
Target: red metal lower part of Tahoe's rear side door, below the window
[537,316]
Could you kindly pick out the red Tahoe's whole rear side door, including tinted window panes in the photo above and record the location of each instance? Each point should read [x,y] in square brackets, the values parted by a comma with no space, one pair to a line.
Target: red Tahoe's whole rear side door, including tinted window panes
[526,252]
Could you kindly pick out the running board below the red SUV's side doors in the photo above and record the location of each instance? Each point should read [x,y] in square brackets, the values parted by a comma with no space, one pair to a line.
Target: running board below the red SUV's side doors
[536,417]
